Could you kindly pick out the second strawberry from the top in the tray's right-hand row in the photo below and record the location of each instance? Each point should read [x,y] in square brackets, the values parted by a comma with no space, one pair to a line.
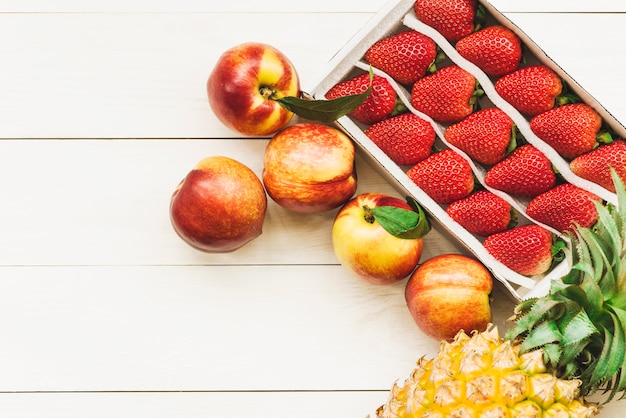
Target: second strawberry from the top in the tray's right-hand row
[495,49]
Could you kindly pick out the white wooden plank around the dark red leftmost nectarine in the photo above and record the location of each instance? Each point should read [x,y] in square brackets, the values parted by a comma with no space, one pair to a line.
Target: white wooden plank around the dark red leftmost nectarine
[100,202]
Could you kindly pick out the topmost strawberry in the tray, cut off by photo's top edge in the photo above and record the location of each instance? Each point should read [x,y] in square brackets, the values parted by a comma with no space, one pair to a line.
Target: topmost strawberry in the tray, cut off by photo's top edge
[454,19]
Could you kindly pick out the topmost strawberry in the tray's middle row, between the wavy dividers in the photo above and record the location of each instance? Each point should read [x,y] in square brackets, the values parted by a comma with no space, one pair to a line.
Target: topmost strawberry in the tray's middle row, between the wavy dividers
[406,56]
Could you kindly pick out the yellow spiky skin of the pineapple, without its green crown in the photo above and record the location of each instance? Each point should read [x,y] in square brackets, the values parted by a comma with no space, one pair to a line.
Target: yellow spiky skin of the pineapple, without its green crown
[483,375]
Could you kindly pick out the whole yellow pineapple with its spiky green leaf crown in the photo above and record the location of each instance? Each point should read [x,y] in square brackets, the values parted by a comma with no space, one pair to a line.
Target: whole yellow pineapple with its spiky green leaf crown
[566,345]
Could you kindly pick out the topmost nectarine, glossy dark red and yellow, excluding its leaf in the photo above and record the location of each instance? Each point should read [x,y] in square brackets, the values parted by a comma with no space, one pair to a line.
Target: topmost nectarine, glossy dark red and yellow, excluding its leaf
[245,84]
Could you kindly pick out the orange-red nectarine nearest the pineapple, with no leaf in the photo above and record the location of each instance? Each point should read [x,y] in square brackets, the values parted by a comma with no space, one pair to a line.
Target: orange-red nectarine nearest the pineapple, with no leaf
[450,292]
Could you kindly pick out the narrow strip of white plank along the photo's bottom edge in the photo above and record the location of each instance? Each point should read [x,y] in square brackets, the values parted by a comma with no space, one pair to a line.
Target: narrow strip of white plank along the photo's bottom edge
[335,404]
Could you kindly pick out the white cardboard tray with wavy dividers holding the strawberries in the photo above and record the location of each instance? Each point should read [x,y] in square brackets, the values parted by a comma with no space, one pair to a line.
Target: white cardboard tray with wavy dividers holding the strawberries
[398,16]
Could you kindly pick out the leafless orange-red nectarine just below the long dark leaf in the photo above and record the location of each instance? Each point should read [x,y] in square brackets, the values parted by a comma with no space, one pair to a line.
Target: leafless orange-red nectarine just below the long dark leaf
[310,167]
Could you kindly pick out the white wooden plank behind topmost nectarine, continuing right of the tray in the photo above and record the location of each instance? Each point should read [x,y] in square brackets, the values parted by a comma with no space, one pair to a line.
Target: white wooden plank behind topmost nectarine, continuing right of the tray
[146,77]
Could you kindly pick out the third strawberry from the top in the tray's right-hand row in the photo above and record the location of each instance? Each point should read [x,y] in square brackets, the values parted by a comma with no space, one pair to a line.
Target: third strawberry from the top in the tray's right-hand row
[531,90]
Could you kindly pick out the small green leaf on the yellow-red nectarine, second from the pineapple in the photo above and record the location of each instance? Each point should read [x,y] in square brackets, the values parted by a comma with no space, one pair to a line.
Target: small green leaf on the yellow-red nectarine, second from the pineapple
[400,222]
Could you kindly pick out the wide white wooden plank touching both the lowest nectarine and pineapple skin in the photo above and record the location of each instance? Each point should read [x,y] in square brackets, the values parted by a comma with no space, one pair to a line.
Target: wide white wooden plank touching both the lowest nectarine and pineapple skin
[205,328]
